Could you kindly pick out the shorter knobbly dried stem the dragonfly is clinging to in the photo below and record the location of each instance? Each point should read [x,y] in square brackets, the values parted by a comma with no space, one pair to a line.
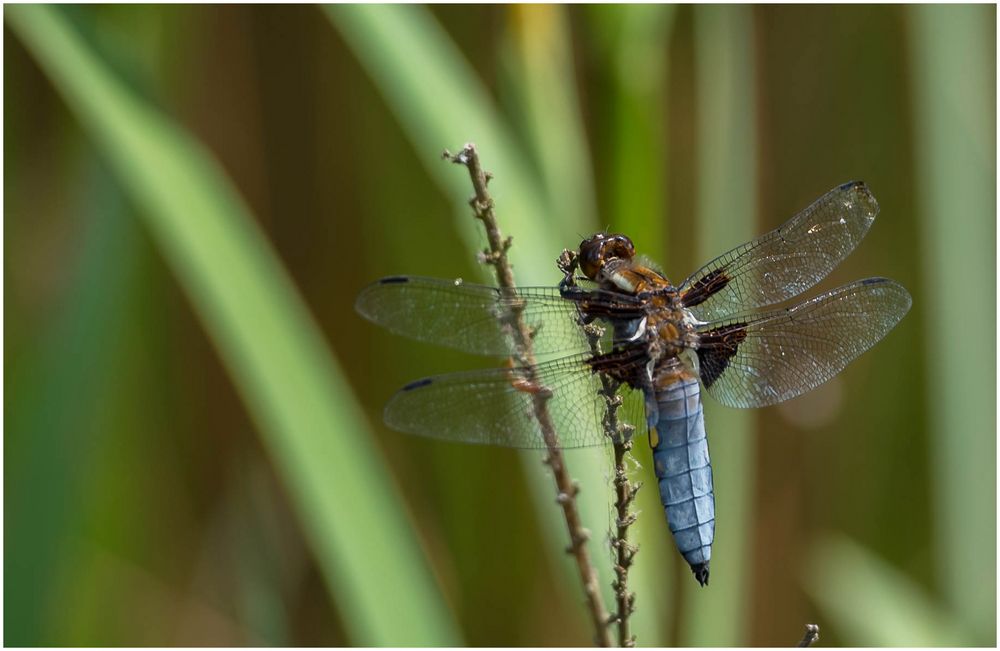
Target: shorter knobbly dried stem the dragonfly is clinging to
[625,491]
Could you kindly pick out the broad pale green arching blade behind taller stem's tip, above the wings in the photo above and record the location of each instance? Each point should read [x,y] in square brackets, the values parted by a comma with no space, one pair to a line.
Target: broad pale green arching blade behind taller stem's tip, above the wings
[440,102]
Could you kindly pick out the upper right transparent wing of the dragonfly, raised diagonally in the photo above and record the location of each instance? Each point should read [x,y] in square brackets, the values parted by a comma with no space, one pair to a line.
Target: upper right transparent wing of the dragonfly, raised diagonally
[786,261]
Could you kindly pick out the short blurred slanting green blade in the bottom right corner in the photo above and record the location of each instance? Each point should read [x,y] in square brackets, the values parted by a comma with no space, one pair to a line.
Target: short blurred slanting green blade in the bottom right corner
[871,604]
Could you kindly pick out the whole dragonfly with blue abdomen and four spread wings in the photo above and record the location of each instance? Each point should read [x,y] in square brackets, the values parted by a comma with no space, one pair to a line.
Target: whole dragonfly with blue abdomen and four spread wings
[625,341]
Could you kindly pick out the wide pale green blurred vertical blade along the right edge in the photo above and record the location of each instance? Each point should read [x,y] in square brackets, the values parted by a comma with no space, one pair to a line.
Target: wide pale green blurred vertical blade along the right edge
[954,85]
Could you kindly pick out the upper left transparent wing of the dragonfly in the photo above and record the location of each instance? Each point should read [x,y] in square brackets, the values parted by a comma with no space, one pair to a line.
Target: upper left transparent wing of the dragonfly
[476,318]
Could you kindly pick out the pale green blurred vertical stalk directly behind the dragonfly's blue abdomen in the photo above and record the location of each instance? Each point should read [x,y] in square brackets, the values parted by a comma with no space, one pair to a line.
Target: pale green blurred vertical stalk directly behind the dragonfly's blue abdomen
[727,201]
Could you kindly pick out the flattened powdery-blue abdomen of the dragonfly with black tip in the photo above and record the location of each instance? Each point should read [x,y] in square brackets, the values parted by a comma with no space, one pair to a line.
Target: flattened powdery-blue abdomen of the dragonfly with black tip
[680,457]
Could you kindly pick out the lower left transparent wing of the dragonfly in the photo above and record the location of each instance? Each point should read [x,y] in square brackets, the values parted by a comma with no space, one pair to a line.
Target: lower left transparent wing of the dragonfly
[497,406]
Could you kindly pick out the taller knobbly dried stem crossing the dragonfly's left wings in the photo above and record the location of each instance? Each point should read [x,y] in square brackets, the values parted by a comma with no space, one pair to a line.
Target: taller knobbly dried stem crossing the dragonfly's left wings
[496,256]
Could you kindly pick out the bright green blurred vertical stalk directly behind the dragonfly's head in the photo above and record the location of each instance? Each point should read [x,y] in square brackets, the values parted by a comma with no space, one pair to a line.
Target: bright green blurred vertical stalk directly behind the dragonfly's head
[634,44]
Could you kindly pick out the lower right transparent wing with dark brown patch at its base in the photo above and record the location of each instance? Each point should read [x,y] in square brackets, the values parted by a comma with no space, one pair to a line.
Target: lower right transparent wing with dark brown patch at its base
[760,359]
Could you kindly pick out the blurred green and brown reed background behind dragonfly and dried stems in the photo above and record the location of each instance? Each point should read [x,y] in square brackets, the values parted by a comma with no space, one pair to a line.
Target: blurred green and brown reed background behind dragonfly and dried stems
[195,195]
